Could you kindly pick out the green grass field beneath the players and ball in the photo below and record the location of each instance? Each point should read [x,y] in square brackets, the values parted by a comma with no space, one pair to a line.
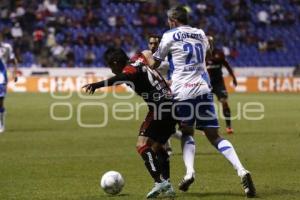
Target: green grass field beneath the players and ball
[41,158]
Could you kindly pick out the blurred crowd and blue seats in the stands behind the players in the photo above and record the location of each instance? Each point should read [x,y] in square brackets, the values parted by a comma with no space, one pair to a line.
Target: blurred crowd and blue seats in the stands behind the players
[75,33]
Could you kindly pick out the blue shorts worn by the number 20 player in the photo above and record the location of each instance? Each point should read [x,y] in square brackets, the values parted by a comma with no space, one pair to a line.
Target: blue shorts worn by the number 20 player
[200,110]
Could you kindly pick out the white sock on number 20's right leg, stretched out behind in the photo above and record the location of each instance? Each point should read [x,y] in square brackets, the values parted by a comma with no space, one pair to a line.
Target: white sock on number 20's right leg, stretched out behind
[226,148]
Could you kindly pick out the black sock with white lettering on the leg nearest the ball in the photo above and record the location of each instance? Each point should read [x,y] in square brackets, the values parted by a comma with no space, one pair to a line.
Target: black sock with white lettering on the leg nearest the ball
[151,162]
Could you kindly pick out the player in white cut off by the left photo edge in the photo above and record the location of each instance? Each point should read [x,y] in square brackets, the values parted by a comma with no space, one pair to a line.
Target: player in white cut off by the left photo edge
[6,56]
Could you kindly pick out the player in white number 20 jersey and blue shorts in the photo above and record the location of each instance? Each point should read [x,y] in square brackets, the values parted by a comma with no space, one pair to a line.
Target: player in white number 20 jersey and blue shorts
[186,49]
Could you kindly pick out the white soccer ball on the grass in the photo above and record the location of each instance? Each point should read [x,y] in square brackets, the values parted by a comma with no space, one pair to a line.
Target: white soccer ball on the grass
[112,182]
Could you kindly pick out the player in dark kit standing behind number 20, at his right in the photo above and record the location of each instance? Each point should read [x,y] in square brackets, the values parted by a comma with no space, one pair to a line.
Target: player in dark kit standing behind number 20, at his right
[215,62]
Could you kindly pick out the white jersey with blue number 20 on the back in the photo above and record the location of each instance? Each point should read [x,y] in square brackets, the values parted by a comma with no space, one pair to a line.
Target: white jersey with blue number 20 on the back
[186,49]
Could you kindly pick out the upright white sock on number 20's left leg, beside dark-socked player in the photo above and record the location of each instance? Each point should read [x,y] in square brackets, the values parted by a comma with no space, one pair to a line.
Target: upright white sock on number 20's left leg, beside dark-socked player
[188,151]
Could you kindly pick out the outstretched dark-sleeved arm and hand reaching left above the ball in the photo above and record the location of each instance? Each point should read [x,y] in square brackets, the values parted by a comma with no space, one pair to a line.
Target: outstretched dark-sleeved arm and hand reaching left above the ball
[115,80]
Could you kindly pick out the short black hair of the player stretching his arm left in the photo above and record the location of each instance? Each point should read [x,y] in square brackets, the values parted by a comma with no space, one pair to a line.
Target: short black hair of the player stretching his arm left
[113,54]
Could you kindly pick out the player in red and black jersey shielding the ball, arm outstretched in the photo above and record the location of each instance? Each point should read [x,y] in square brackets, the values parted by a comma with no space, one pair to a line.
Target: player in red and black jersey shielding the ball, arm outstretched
[159,123]
